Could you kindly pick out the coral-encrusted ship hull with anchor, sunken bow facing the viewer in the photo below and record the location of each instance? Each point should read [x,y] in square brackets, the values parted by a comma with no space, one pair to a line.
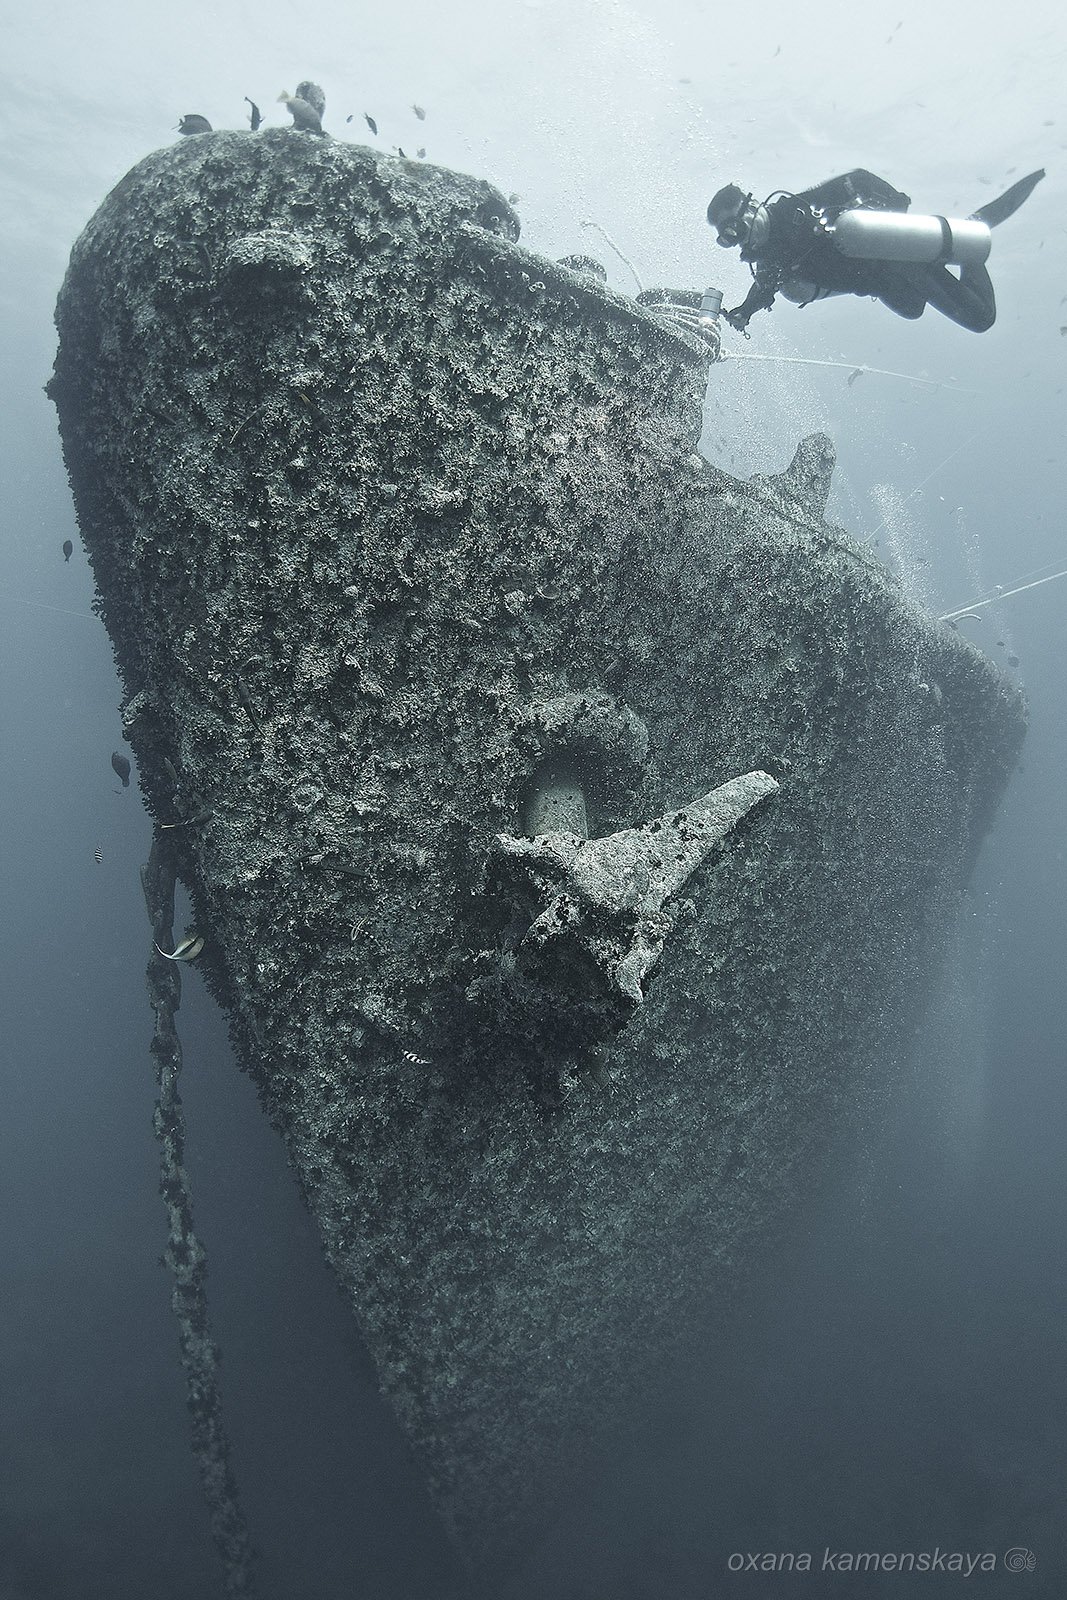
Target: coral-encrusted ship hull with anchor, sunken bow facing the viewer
[441,644]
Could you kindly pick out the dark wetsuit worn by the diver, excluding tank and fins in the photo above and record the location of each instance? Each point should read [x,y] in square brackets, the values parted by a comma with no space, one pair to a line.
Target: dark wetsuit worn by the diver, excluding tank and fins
[801,262]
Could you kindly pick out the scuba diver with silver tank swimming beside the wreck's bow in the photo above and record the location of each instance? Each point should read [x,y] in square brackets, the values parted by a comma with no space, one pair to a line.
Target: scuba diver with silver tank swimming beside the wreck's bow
[855,236]
